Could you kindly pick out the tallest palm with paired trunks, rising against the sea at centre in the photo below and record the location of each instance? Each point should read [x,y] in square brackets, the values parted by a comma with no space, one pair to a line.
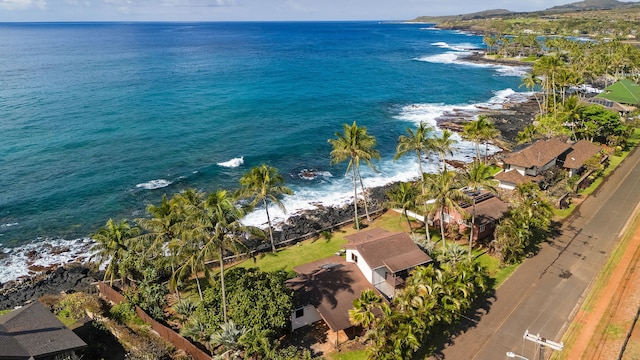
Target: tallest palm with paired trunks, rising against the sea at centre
[356,145]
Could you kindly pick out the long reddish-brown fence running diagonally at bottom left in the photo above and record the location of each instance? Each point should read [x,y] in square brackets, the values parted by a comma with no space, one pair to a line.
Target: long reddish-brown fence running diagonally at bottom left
[164,332]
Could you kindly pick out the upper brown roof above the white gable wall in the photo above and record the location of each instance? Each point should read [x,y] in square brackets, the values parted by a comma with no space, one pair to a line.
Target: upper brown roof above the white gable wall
[394,250]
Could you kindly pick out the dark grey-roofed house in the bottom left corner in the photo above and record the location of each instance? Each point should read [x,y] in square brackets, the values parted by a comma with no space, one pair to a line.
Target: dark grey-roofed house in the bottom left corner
[33,332]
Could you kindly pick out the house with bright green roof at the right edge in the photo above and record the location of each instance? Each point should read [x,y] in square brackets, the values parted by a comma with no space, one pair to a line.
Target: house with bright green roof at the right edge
[623,97]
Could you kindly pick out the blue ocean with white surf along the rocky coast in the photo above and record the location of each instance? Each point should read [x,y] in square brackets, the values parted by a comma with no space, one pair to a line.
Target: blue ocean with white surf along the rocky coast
[98,120]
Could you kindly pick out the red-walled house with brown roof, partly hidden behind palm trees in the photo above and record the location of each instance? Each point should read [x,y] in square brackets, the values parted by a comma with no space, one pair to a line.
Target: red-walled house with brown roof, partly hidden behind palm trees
[489,211]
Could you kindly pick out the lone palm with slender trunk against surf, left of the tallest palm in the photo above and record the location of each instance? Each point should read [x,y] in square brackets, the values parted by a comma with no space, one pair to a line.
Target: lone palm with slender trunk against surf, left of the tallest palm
[264,184]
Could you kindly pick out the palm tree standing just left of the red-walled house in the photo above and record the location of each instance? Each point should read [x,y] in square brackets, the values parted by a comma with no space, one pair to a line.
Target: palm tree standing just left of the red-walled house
[444,189]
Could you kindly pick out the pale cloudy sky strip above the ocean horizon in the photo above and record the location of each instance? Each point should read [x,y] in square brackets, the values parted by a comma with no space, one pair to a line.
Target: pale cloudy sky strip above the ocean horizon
[250,10]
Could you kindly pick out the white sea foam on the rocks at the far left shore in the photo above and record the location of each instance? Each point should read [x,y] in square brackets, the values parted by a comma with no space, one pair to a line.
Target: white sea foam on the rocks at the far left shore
[15,262]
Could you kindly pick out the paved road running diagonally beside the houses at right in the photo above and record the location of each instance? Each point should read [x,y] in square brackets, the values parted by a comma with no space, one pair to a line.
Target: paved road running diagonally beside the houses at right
[543,295]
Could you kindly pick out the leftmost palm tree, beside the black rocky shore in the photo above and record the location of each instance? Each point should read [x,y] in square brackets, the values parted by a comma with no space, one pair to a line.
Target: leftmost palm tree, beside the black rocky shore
[113,245]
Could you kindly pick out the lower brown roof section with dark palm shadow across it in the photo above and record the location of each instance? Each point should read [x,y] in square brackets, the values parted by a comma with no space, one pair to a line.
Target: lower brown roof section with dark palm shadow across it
[330,285]
